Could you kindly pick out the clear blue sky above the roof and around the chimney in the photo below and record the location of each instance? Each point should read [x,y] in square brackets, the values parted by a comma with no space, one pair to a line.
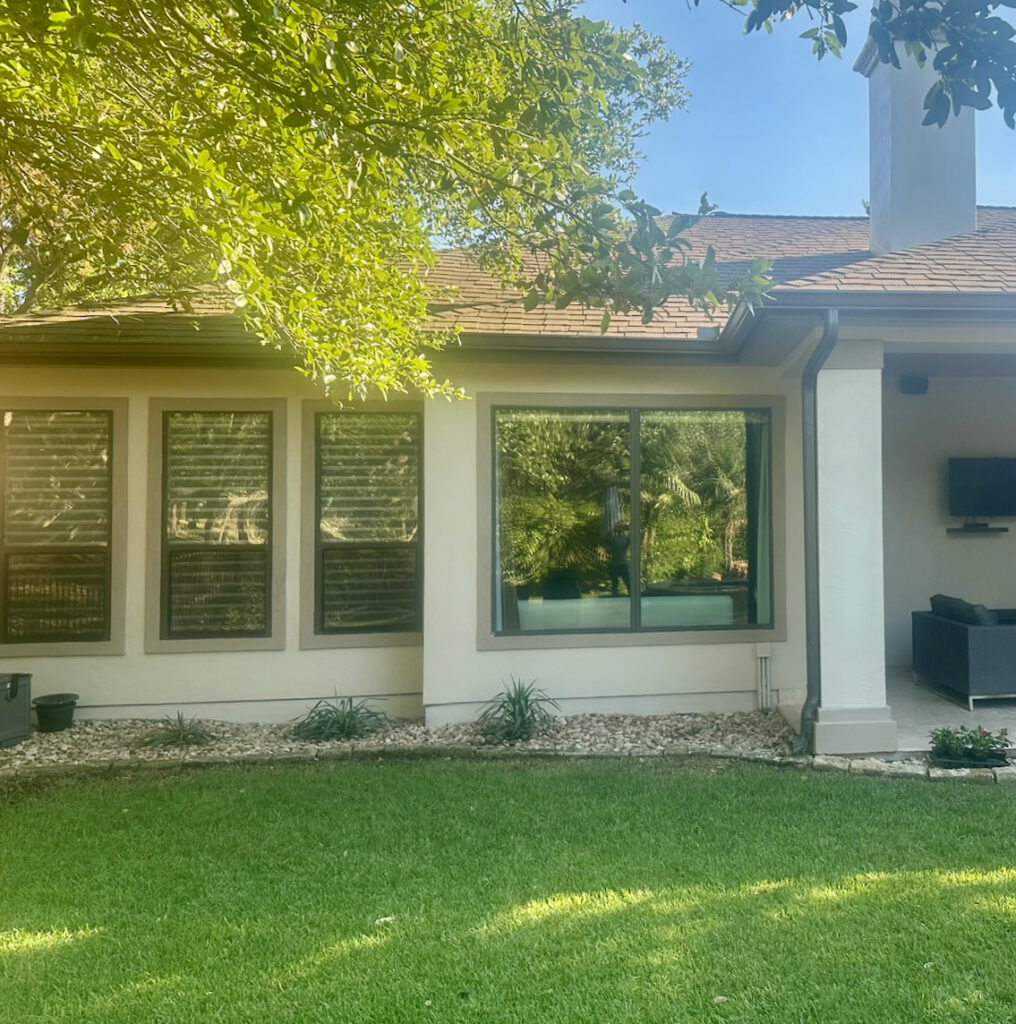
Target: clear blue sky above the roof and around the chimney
[770,130]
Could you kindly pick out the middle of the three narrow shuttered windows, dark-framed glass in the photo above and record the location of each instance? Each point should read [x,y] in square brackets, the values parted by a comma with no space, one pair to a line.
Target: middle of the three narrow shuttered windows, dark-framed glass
[217,538]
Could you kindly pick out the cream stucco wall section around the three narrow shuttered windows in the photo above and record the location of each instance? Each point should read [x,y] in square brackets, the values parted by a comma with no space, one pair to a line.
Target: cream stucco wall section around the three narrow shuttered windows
[265,686]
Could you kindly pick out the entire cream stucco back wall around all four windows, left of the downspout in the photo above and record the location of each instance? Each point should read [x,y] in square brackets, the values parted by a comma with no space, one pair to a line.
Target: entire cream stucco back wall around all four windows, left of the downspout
[622,674]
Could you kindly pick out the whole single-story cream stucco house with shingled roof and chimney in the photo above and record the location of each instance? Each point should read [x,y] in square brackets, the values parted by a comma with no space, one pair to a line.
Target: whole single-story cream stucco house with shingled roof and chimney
[687,516]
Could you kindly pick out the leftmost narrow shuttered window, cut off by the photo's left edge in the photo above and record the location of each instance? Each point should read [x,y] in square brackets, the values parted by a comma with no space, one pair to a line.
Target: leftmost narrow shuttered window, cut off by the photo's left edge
[57,495]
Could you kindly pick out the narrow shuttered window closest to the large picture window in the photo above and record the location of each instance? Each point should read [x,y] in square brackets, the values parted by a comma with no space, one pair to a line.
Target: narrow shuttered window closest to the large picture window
[368,572]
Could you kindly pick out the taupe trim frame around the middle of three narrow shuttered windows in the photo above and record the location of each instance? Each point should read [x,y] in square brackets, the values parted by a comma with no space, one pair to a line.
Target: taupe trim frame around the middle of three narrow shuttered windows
[155,642]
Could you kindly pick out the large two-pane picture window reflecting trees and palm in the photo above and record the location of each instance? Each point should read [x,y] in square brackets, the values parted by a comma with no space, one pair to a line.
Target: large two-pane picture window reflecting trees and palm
[576,552]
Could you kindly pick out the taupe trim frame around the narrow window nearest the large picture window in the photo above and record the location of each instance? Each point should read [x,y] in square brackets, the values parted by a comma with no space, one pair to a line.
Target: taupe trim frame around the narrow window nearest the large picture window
[311,639]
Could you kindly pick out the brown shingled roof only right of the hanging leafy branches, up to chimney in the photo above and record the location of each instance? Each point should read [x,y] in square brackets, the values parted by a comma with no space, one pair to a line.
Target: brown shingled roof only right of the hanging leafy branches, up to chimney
[808,253]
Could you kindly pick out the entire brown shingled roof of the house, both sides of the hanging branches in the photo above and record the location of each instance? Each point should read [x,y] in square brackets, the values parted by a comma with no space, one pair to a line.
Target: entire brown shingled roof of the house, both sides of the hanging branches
[811,255]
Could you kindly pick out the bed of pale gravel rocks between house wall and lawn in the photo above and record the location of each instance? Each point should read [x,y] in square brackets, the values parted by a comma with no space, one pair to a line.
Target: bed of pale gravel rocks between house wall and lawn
[103,743]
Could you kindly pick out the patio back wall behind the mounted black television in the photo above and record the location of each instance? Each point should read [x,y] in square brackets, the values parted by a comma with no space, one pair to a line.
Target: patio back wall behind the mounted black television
[959,416]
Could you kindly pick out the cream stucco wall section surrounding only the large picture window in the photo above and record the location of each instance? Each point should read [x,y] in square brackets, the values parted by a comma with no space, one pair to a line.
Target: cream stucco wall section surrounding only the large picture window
[626,676]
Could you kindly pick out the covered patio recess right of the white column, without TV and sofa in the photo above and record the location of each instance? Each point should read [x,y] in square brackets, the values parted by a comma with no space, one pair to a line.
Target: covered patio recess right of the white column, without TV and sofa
[952,401]
